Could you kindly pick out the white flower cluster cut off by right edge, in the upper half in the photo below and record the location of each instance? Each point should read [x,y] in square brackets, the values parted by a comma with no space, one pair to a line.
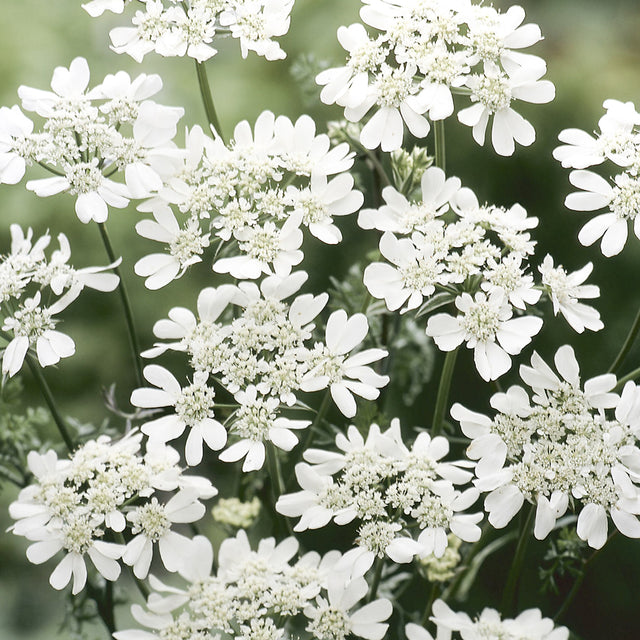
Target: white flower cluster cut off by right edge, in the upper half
[618,142]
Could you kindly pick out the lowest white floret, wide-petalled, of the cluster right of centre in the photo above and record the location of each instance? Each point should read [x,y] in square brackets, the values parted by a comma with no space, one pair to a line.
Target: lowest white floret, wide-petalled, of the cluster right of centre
[486,325]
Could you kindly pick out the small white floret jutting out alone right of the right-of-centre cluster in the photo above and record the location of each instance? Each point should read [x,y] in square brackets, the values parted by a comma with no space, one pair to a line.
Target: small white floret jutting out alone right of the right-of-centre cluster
[565,289]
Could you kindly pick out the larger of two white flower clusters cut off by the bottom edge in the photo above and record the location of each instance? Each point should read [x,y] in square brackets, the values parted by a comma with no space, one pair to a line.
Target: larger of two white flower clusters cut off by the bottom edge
[255,595]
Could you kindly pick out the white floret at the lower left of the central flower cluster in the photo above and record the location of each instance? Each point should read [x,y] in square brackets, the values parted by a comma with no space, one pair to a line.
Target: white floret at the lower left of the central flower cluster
[193,408]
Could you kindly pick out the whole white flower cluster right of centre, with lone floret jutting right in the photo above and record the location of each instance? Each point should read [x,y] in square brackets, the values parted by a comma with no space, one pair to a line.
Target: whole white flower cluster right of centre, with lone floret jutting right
[448,244]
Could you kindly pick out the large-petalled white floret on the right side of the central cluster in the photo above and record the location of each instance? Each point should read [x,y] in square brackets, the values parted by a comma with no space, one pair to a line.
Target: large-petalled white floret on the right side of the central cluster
[330,366]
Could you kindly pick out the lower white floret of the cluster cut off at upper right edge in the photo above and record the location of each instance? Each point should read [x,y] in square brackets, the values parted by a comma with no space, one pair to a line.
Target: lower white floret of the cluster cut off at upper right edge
[623,201]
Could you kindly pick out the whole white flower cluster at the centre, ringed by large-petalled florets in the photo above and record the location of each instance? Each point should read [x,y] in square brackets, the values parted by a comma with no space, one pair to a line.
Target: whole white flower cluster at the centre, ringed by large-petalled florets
[264,357]
